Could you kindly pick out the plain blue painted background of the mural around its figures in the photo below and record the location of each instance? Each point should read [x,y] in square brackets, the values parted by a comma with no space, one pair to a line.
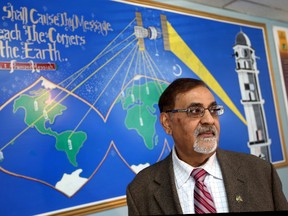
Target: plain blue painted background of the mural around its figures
[35,165]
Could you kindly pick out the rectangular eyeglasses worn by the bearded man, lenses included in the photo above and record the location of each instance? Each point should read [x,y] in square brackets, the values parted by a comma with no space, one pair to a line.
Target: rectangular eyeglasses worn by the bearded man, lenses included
[199,111]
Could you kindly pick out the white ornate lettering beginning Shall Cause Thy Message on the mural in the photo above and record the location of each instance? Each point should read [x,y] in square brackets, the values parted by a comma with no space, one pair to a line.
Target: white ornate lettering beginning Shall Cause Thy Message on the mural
[29,34]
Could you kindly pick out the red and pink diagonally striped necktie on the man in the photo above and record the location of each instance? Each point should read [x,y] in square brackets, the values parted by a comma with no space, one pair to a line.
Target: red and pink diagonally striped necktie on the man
[203,202]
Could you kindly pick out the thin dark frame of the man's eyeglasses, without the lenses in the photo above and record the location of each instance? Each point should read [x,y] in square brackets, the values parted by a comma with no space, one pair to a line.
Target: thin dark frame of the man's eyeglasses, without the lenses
[188,110]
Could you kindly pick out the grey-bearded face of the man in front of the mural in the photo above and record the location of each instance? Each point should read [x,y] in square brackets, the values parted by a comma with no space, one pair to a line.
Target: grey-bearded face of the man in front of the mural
[193,135]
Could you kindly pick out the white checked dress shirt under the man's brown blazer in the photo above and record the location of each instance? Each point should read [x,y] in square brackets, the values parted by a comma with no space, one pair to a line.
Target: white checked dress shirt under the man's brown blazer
[185,183]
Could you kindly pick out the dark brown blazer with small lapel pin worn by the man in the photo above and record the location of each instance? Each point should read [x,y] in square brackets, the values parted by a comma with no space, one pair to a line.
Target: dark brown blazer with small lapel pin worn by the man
[252,185]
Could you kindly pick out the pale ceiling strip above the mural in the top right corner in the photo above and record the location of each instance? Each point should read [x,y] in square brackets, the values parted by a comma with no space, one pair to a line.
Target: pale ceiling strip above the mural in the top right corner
[270,9]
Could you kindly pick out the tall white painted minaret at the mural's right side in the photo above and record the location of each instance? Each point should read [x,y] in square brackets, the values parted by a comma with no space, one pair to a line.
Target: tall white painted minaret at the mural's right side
[246,68]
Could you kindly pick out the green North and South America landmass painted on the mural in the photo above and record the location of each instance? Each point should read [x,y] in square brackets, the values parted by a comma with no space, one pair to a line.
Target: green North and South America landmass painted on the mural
[40,109]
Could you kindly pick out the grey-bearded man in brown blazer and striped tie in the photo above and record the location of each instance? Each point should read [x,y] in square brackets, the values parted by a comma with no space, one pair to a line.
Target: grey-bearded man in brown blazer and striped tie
[236,182]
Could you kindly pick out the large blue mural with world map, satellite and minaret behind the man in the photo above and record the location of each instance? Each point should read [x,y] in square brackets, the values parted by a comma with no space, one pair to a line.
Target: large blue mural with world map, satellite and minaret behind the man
[79,92]
